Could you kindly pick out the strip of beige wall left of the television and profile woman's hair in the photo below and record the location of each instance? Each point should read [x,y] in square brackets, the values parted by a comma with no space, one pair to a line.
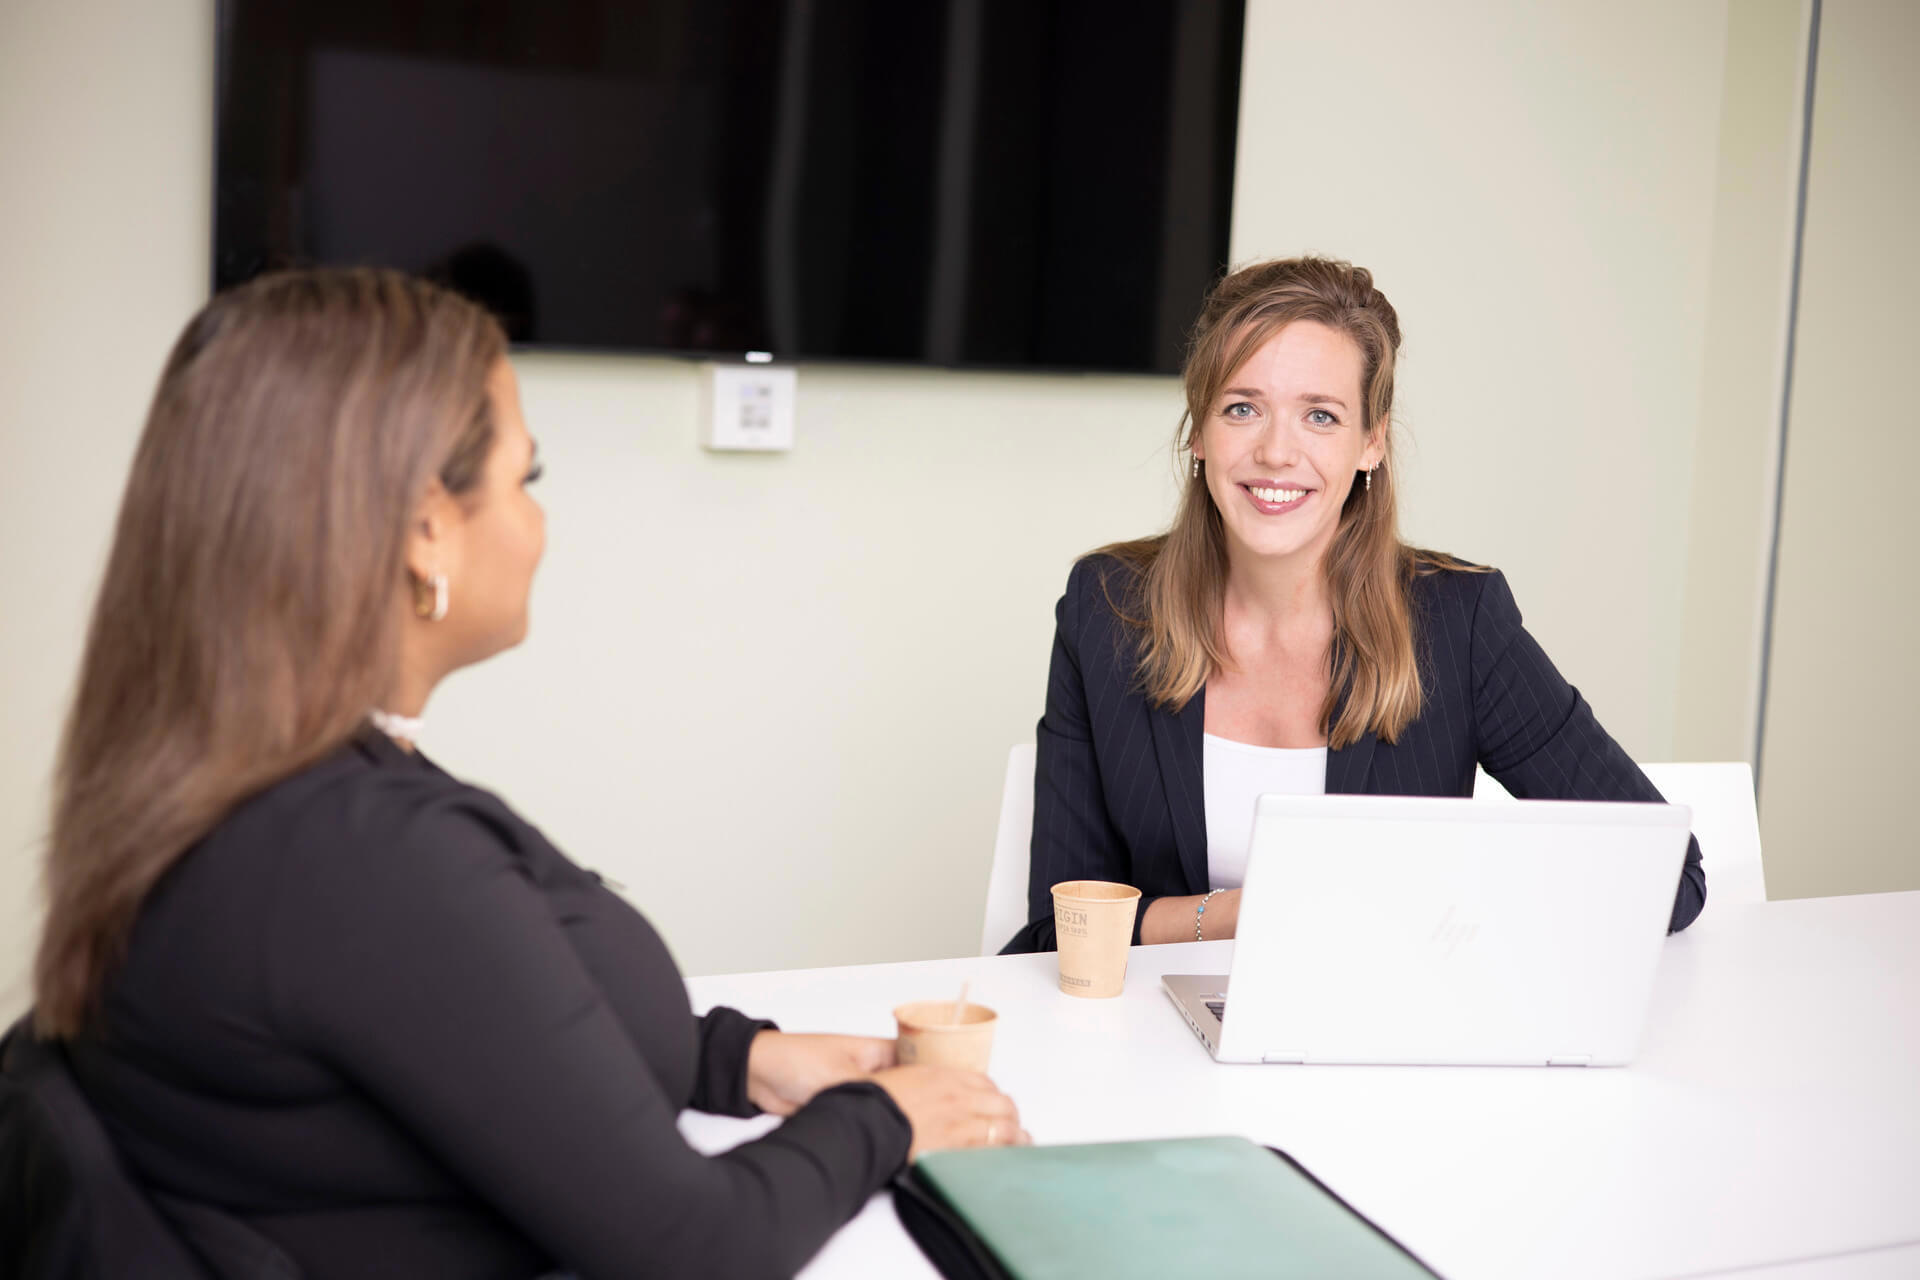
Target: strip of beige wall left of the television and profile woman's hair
[105,160]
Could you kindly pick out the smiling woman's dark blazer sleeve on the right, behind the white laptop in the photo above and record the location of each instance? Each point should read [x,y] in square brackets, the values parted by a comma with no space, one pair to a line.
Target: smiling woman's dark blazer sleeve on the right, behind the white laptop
[1539,738]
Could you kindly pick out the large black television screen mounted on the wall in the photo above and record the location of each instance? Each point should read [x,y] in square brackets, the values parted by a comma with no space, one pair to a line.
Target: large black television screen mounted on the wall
[965,183]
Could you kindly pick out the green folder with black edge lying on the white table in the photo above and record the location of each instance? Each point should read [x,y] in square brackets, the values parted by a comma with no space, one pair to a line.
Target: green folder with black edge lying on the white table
[1209,1208]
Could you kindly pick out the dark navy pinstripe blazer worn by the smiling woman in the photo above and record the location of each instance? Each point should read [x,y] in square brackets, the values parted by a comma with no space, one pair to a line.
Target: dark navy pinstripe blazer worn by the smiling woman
[1118,792]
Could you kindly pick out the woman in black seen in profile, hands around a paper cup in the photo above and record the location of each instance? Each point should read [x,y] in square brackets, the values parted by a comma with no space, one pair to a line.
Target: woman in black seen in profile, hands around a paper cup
[337,1010]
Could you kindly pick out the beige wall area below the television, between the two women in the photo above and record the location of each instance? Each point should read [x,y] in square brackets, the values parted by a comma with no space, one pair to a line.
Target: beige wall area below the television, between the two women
[773,696]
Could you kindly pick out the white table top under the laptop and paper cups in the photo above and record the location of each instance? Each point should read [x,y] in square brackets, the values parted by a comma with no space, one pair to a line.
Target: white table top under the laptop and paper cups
[1771,1118]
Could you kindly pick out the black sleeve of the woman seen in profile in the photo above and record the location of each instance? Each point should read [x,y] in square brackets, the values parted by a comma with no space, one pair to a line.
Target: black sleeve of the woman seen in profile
[441,984]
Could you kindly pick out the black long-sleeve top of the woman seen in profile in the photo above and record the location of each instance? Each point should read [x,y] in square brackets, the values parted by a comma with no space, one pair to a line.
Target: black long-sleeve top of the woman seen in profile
[381,1022]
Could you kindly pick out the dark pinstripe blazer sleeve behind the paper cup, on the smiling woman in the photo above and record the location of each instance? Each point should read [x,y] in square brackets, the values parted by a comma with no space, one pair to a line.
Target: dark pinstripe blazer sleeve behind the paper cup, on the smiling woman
[1074,838]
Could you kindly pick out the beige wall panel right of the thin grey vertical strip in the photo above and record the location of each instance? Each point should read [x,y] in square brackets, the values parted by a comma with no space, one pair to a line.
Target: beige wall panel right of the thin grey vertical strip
[1842,698]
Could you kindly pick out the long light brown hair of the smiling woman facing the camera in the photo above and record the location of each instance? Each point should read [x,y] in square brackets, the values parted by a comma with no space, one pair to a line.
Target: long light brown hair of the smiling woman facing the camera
[1178,584]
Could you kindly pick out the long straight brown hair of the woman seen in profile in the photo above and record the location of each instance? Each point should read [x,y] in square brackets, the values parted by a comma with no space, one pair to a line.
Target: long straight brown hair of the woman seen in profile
[256,588]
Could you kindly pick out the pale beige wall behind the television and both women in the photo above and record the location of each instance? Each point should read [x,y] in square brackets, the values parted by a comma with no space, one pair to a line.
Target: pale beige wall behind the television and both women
[792,680]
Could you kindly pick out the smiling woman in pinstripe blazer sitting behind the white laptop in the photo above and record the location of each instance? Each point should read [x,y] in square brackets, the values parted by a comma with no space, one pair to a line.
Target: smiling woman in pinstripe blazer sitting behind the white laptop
[1282,638]
